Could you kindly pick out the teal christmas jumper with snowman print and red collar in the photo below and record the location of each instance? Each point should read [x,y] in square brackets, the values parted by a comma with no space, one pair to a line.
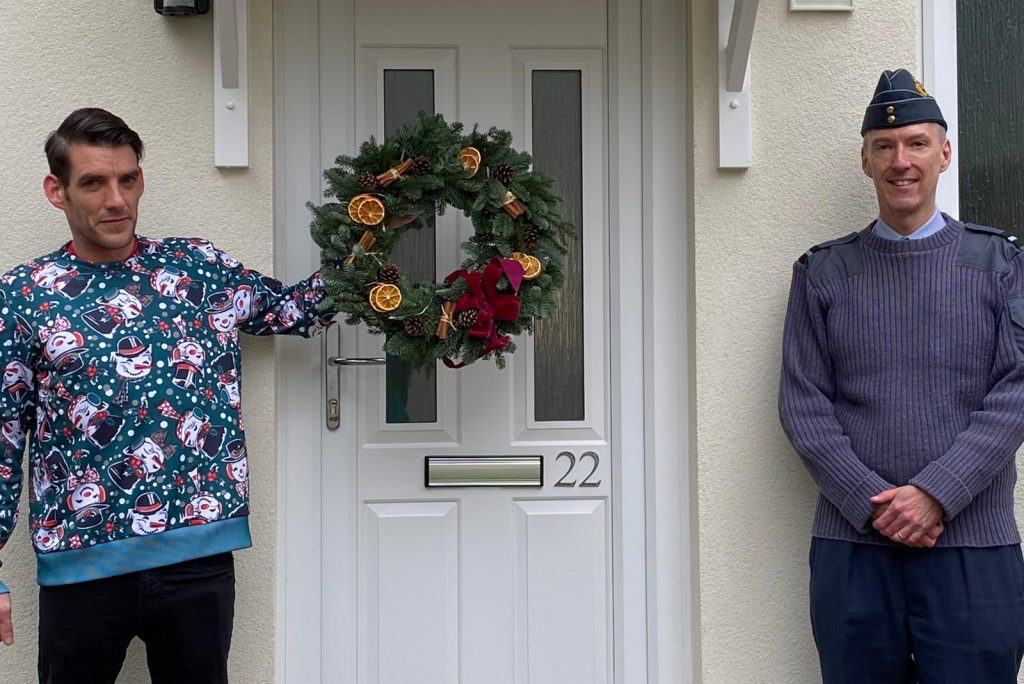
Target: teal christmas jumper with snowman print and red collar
[124,379]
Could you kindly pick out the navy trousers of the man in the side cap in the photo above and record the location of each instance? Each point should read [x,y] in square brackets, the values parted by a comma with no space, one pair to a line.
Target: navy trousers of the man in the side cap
[899,616]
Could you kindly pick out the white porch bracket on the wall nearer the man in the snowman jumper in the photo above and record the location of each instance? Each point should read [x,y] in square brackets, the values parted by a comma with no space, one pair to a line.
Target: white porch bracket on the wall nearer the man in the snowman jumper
[231,84]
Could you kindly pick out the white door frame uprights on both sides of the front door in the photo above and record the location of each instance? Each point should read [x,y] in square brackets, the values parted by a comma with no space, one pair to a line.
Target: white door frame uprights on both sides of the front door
[652,347]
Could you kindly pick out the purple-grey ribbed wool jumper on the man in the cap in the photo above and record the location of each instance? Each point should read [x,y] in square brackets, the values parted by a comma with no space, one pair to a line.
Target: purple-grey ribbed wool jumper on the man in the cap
[904,363]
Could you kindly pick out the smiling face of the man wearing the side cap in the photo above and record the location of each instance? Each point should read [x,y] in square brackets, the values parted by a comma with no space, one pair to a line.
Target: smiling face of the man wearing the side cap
[906,163]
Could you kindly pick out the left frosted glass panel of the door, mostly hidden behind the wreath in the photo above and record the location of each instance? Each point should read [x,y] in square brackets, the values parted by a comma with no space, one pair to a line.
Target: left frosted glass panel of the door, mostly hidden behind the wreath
[412,396]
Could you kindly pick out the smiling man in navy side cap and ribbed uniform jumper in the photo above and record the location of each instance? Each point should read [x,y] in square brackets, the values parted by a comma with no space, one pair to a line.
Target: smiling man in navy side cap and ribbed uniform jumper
[903,391]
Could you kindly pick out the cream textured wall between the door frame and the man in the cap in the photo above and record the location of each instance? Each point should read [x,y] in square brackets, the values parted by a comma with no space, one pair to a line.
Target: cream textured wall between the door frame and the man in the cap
[813,73]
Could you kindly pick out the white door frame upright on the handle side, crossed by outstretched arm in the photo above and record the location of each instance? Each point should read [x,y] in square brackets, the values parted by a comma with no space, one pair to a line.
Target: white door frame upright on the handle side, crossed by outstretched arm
[297,145]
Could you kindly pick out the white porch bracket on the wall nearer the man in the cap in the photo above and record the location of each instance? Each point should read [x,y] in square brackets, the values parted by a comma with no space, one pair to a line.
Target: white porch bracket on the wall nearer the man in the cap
[736,31]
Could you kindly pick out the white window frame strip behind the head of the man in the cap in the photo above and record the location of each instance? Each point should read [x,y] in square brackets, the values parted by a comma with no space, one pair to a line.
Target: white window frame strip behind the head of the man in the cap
[937,57]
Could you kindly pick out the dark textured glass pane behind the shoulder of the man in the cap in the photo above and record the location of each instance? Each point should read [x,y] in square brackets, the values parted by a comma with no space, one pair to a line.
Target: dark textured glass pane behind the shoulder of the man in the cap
[991,57]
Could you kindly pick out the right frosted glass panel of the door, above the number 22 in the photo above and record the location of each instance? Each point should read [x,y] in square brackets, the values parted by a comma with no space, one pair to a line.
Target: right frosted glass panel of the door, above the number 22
[559,372]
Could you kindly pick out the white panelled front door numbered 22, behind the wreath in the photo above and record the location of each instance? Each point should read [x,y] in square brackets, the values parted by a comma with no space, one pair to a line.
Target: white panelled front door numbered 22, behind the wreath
[483,584]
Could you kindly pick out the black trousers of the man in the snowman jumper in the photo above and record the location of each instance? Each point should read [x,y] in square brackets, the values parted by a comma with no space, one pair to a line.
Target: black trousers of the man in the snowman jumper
[183,613]
